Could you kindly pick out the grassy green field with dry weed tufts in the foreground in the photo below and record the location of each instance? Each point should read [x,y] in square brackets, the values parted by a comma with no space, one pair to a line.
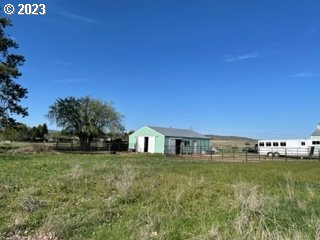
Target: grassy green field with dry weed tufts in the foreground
[77,196]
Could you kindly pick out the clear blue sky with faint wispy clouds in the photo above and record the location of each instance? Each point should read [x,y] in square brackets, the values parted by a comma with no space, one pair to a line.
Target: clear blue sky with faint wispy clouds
[247,68]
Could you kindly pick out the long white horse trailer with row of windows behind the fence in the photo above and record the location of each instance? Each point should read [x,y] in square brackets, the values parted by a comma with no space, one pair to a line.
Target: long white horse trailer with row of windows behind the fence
[289,147]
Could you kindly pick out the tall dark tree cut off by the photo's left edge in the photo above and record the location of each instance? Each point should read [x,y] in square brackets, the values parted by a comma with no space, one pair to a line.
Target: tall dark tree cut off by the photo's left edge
[11,92]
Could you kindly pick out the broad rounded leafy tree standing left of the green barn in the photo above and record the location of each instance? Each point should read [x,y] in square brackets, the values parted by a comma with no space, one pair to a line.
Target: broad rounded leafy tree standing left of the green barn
[85,117]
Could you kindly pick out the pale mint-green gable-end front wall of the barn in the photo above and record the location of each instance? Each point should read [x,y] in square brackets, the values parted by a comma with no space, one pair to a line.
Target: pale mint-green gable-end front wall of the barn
[147,132]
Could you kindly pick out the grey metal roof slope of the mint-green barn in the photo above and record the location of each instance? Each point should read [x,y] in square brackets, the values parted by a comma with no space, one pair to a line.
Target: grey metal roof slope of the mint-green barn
[174,132]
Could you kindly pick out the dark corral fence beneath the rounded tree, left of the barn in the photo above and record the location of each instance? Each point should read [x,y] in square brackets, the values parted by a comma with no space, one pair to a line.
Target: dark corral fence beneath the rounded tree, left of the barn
[110,147]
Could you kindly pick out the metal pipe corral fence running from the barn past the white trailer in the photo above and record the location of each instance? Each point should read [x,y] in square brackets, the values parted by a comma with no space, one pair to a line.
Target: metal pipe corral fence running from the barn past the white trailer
[237,154]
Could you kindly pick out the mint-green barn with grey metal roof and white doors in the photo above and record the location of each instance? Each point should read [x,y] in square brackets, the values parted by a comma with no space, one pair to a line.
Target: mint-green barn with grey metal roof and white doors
[168,141]
